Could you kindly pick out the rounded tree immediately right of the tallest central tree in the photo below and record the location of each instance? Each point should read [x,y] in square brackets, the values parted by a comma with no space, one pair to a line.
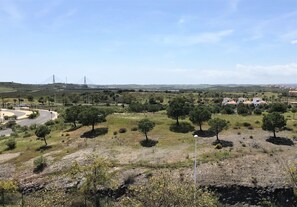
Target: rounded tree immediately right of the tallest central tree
[199,115]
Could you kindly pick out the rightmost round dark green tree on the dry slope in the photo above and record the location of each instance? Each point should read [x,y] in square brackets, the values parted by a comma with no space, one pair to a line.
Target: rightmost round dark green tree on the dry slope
[273,122]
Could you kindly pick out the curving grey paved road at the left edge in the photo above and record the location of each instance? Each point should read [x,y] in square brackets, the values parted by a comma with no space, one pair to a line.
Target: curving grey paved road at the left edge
[44,116]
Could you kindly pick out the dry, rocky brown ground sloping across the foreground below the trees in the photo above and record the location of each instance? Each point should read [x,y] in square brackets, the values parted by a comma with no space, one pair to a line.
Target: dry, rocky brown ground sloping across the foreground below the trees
[251,165]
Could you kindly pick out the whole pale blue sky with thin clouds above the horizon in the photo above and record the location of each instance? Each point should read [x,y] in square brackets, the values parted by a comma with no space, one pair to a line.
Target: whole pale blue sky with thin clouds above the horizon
[149,41]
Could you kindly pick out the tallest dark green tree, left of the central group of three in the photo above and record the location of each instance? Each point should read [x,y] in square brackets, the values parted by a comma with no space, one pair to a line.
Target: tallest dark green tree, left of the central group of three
[179,107]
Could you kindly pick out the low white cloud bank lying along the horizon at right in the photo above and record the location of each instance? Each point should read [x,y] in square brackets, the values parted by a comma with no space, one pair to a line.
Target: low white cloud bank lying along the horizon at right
[240,74]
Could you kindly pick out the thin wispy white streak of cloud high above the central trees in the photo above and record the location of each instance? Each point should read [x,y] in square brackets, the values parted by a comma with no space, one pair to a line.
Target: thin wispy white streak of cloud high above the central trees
[189,40]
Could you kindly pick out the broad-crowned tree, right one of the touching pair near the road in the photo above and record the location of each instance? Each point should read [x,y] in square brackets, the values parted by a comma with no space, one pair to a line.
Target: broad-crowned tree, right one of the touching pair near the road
[91,116]
